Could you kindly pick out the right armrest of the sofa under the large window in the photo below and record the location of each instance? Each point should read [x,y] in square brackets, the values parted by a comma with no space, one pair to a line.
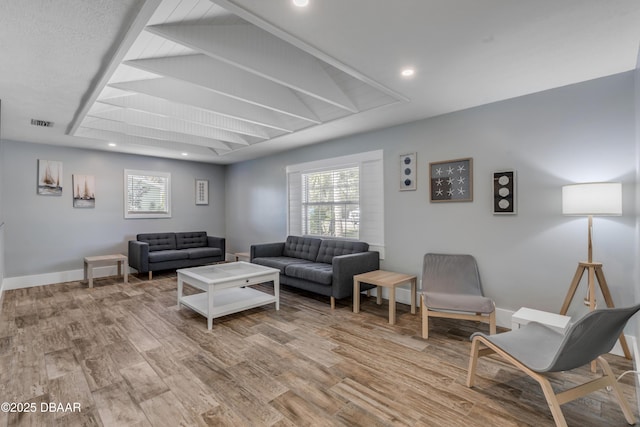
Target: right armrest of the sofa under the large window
[347,266]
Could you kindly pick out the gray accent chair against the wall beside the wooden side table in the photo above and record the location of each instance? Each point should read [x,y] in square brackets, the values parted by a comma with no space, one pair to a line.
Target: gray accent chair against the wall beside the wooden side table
[451,288]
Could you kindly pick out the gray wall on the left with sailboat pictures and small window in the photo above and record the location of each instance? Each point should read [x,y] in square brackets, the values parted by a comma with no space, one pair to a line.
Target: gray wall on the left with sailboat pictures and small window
[45,234]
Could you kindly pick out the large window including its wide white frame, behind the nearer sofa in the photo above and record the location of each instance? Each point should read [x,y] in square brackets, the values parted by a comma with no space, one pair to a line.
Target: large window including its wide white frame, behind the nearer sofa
[339,197]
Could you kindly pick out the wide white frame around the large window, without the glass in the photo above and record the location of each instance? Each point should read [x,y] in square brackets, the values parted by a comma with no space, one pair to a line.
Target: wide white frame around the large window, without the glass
[371,166]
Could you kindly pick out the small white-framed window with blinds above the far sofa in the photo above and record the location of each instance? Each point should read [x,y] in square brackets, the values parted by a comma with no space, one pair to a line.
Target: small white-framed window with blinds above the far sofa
[147,194]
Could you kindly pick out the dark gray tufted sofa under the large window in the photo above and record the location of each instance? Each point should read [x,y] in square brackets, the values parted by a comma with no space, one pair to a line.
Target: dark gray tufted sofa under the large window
[322,266]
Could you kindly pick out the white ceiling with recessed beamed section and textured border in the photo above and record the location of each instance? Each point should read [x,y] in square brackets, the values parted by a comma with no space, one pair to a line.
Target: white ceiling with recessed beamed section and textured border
[229,80]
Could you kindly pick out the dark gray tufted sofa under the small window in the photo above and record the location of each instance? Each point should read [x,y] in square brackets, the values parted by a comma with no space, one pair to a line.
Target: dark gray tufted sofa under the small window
[163,251]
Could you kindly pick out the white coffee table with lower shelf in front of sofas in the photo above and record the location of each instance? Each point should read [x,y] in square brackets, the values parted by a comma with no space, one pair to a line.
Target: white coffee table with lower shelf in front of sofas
[226,288]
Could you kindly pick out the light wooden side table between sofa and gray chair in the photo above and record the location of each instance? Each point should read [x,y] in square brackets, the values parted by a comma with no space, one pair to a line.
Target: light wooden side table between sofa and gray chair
[387,279]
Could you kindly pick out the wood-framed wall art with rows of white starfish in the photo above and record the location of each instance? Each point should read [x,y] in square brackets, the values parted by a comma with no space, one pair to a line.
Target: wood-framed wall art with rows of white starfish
[451,180]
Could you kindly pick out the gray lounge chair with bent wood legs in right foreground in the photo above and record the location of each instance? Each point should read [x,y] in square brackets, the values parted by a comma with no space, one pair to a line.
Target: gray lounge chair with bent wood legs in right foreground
[537,349]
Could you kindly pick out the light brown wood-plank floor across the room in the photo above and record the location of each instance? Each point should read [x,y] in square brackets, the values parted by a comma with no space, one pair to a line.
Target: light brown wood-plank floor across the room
[129,357]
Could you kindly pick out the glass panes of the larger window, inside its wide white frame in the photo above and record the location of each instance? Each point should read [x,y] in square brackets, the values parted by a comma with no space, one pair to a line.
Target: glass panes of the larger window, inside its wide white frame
[330,202]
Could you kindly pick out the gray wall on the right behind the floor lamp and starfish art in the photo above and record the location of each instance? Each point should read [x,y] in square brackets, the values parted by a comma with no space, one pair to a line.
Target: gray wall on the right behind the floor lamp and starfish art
[579,133]
